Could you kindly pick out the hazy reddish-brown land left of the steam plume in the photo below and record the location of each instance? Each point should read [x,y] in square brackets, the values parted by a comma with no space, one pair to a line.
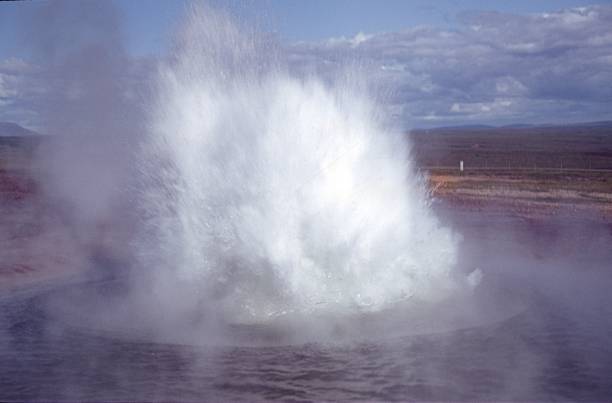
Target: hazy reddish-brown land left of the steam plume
[35,244]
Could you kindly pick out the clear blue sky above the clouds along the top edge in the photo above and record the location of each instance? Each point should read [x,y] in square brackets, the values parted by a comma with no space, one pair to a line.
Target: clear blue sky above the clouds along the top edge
[149,22]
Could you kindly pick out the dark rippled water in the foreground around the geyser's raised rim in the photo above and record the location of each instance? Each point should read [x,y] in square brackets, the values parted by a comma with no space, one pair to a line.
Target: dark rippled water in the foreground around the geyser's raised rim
[558,346]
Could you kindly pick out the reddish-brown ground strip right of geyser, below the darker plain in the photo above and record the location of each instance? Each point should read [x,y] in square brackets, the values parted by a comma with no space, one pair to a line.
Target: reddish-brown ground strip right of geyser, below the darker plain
[527,194]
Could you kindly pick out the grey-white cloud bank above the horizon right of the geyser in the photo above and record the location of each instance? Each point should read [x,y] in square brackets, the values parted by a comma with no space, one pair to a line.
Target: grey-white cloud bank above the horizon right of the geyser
[495,67]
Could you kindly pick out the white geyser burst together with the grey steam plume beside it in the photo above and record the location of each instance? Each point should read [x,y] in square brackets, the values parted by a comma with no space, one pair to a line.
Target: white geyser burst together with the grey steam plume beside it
[239,191]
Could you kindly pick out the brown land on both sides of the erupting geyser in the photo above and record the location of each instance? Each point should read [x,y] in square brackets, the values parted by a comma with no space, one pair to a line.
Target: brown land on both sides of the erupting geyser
[533,173]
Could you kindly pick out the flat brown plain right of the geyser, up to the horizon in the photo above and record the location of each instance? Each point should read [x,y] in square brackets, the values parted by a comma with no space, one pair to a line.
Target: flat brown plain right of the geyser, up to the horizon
[530,172]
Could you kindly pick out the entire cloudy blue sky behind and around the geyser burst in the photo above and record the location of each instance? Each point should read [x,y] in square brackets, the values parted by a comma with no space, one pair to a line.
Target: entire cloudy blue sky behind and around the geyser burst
[440,63]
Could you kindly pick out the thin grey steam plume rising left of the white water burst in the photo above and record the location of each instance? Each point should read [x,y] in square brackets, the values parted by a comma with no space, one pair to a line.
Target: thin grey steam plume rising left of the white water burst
[95,114]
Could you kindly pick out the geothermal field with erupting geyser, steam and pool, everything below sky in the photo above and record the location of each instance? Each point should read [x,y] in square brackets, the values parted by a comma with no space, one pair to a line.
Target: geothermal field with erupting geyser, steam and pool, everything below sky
[232,229]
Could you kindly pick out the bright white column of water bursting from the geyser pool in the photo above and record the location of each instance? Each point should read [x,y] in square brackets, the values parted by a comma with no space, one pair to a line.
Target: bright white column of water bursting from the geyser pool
[267,194]
